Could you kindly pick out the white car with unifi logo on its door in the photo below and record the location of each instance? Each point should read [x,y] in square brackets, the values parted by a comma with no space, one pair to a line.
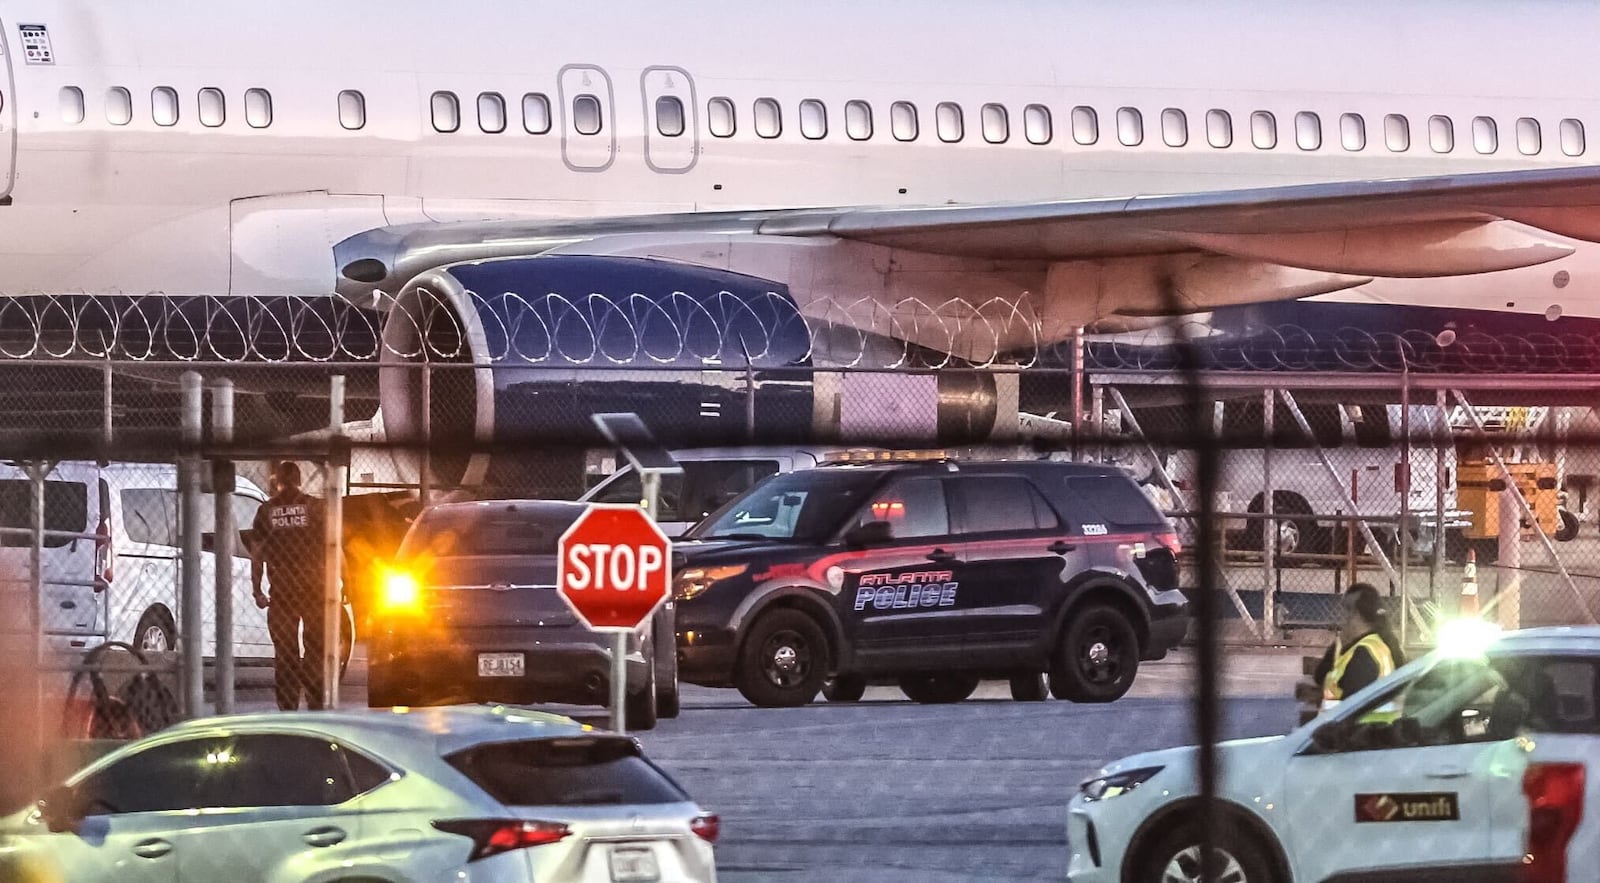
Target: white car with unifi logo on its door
[1470,764]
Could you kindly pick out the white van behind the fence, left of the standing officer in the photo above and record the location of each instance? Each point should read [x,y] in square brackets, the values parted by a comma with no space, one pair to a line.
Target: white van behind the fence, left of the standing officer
[111,559]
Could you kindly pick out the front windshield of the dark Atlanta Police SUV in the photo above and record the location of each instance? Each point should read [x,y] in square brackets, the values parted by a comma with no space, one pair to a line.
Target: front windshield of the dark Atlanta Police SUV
[804,506]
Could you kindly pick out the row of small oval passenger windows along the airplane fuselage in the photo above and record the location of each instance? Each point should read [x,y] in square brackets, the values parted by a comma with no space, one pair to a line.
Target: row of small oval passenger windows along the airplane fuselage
[950,121]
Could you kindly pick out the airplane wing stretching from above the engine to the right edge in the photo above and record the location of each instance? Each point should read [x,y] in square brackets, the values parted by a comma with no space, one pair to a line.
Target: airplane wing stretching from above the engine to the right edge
[1399,228]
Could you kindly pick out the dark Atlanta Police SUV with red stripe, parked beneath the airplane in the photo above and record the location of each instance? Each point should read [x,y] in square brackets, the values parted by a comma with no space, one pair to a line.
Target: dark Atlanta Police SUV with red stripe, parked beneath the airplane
[934,575]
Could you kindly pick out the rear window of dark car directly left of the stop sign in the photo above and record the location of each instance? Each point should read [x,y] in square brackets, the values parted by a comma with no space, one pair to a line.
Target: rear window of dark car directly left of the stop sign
[489,530]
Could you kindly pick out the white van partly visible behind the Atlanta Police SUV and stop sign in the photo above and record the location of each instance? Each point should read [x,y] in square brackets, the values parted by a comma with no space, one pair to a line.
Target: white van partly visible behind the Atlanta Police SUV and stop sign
[711,477]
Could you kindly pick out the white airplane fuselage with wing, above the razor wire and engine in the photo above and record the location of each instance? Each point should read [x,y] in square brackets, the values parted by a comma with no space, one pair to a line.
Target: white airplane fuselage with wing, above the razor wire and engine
[1095,164]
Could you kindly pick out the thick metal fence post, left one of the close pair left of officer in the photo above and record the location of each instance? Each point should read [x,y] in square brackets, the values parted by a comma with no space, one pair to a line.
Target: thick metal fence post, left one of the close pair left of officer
[190,626]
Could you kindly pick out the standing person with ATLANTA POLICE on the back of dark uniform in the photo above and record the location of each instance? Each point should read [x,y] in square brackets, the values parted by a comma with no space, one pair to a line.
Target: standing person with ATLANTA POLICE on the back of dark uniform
[289,548]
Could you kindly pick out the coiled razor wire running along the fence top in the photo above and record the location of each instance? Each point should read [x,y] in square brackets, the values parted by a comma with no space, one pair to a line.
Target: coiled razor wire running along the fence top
[766,330]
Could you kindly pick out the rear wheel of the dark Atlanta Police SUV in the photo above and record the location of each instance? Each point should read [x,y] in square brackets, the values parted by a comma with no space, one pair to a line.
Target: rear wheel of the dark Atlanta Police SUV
[1098,657]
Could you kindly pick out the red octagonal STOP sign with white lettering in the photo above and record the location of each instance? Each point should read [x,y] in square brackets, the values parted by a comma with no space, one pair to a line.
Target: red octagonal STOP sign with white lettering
[615,567]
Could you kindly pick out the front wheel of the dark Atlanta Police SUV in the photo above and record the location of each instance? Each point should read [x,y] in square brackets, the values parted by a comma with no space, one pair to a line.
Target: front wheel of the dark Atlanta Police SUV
[783,661]
